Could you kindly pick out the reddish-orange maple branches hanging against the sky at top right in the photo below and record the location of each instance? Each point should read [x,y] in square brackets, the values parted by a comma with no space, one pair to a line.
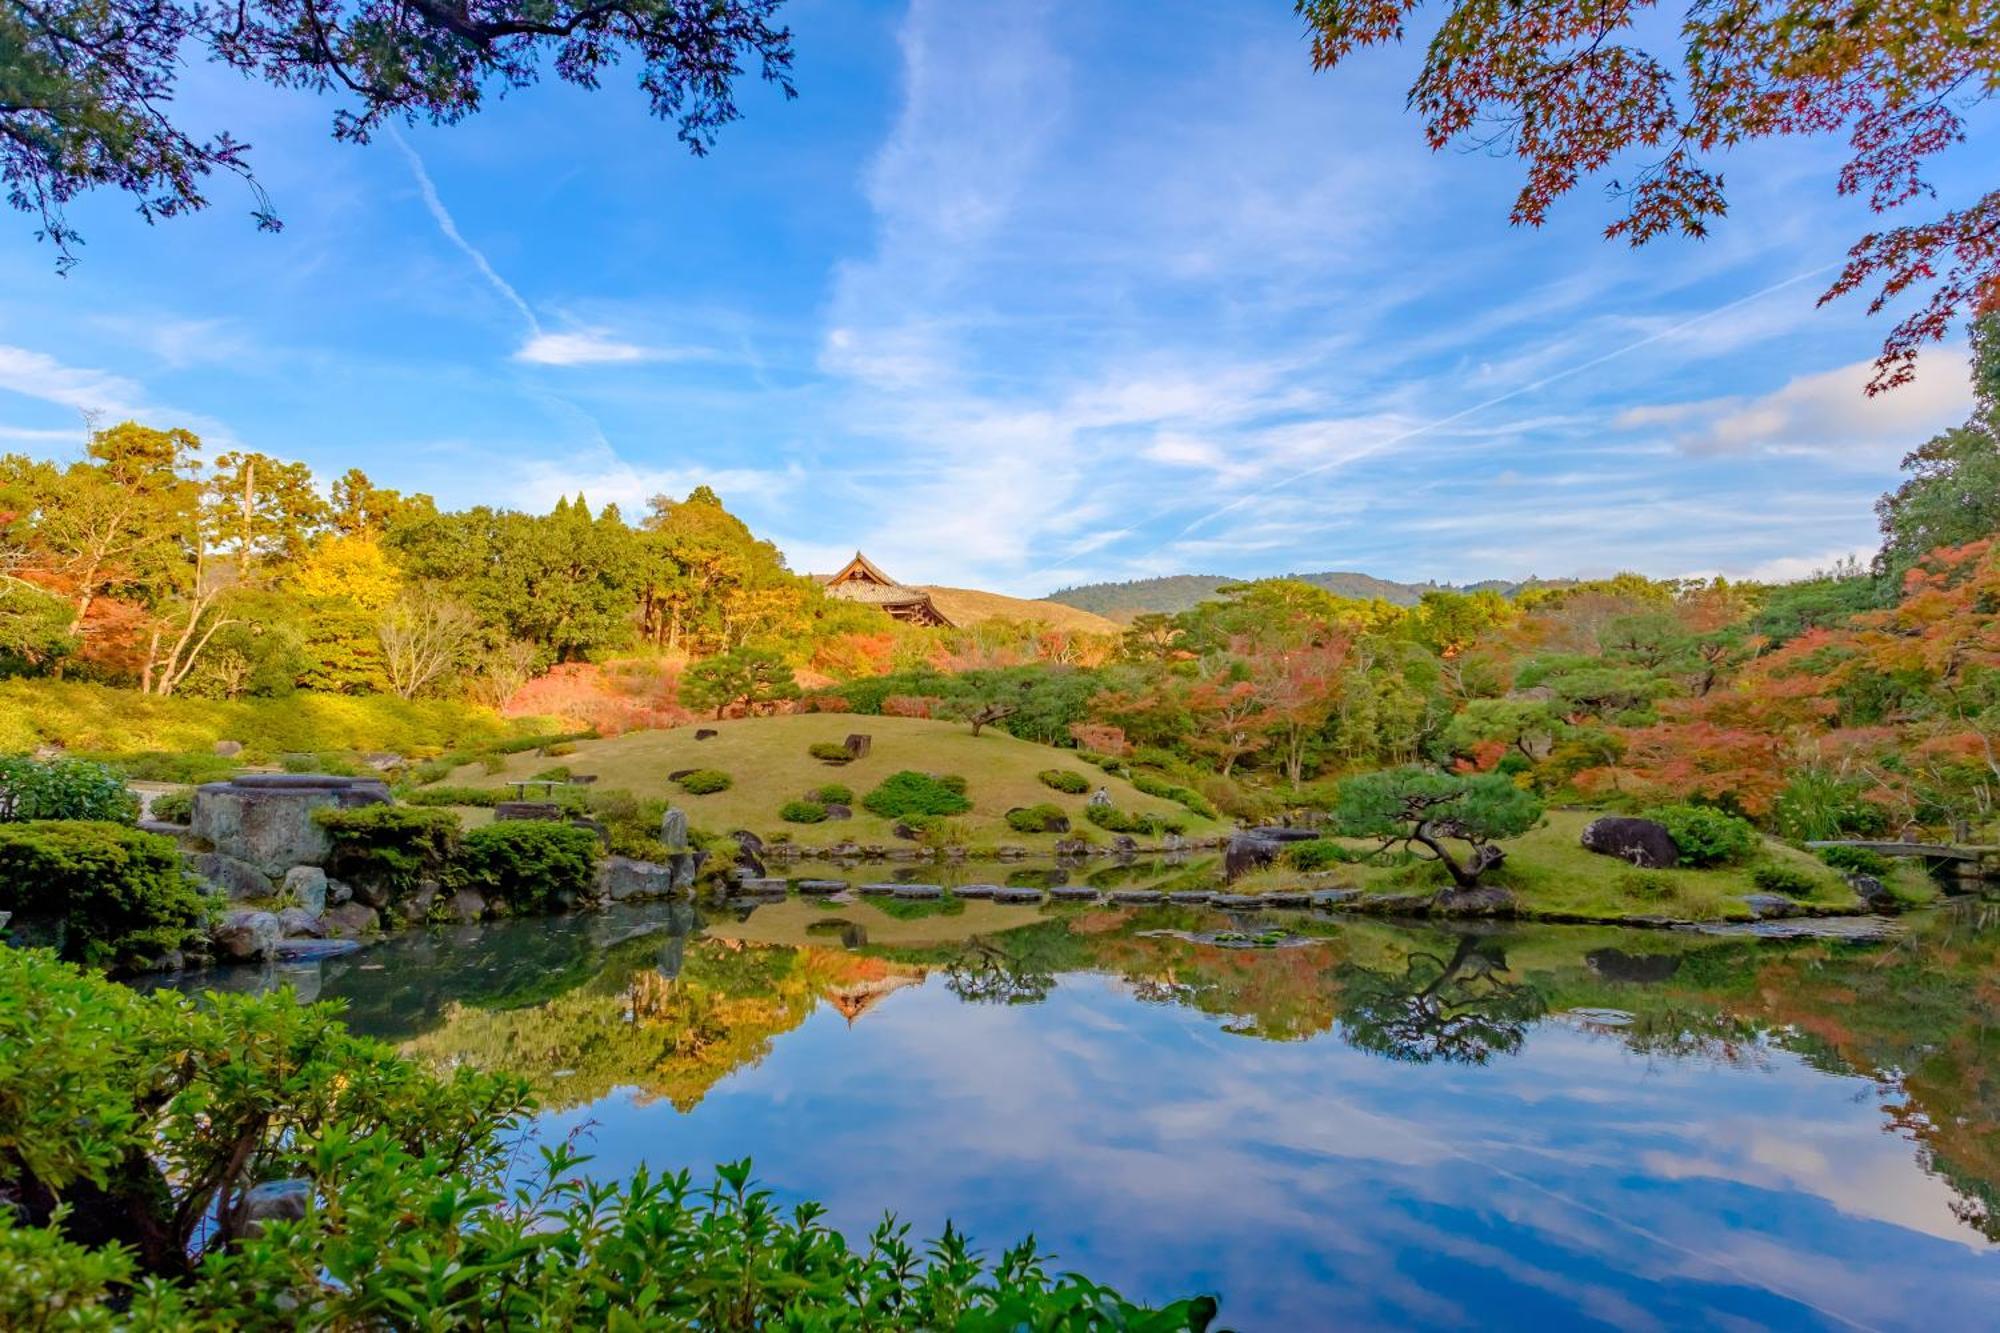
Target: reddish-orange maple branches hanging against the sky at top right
[1571,91]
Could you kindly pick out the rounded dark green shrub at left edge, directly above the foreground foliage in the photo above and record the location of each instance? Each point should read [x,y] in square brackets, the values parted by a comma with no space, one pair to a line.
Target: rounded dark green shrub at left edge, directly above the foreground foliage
[121,896]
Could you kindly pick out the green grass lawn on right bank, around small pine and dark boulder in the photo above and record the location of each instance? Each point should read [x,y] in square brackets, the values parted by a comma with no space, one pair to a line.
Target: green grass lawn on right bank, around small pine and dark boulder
[1551,872]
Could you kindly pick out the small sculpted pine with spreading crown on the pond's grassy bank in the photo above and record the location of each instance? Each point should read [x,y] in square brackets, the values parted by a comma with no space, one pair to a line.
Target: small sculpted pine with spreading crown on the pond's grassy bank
[1429,810]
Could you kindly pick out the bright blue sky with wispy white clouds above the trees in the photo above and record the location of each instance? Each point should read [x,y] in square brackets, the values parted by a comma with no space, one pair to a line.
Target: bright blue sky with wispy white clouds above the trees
[1015,295]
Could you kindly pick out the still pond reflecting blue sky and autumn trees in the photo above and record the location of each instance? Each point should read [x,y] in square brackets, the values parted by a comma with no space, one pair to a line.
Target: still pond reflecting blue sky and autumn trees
[1331,1124]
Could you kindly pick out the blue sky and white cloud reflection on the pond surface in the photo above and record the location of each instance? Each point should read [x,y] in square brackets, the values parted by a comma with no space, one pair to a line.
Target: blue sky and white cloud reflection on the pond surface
[1313,1186]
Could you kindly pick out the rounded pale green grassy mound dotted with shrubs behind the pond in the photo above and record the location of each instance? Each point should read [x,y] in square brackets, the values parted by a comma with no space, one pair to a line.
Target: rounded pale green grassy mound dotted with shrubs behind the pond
[767,758]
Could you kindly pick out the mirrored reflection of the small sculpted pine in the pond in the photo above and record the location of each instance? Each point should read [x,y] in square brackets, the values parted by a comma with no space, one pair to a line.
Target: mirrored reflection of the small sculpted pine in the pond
[1459,1008]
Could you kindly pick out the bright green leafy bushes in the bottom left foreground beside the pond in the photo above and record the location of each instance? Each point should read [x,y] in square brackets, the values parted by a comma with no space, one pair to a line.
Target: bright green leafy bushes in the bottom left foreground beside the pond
[151,1118]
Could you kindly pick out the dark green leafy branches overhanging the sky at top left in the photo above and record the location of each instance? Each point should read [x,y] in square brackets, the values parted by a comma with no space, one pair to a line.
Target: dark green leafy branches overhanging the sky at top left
[89,87]
